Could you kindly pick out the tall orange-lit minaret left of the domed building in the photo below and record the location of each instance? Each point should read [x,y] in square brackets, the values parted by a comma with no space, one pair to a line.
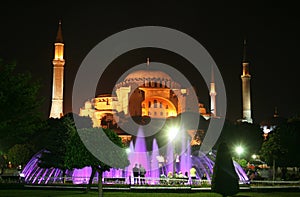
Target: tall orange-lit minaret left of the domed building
[58,76]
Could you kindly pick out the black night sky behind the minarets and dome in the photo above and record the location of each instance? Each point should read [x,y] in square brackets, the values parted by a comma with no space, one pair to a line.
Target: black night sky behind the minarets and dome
[28,33]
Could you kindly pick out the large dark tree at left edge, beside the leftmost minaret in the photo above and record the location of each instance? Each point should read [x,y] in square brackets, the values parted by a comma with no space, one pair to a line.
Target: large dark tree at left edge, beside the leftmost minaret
[20,104]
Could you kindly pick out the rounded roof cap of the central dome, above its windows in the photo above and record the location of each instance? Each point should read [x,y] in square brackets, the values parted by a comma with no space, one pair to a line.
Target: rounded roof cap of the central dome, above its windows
[147,74]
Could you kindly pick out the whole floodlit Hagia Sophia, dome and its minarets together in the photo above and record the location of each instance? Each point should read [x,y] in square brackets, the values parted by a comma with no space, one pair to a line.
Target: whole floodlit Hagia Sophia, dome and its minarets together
[146,92]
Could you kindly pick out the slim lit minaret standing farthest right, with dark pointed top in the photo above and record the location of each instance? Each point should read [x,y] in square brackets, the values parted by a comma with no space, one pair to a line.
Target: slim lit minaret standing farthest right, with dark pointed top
[246,89]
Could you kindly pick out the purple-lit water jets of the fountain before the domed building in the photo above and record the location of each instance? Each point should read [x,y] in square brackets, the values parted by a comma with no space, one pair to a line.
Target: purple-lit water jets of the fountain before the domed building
[138,154]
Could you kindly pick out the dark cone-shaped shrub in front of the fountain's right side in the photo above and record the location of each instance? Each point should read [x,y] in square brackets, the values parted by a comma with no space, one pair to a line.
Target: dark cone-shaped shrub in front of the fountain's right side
[225,180]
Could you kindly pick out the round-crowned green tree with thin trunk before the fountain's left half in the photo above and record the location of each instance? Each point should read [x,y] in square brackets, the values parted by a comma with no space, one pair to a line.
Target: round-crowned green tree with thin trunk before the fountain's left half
[79,156]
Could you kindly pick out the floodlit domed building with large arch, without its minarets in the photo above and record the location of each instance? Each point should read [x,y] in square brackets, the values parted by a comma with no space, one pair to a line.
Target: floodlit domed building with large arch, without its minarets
[150,93]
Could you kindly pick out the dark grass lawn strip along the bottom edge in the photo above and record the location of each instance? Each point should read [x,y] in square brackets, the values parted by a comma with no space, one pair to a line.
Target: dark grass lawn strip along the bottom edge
[68,193]
